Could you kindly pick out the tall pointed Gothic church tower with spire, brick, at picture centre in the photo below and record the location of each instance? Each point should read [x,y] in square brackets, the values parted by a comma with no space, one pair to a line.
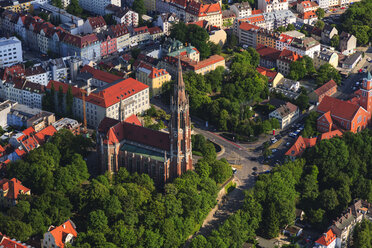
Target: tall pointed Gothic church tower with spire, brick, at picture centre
[180,129]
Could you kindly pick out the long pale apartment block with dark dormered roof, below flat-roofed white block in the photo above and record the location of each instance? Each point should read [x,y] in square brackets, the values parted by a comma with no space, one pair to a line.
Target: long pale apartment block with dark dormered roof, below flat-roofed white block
[22,91]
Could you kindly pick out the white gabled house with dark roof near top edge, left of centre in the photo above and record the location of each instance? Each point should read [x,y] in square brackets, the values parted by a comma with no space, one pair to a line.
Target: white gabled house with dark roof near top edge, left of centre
[123,15]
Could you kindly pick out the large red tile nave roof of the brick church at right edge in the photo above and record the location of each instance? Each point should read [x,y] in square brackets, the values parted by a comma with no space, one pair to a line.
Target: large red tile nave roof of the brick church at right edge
[338,108]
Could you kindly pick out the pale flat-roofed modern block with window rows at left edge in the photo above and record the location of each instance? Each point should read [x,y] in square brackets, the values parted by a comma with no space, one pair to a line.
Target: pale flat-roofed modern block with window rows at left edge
[10,51]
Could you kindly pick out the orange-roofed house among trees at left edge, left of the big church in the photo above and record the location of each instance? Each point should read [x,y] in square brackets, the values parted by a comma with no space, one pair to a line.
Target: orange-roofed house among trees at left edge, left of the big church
[10,190]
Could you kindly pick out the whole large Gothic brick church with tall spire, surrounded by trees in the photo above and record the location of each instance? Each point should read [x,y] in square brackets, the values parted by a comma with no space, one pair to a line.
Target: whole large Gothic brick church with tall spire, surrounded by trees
[163,156]
